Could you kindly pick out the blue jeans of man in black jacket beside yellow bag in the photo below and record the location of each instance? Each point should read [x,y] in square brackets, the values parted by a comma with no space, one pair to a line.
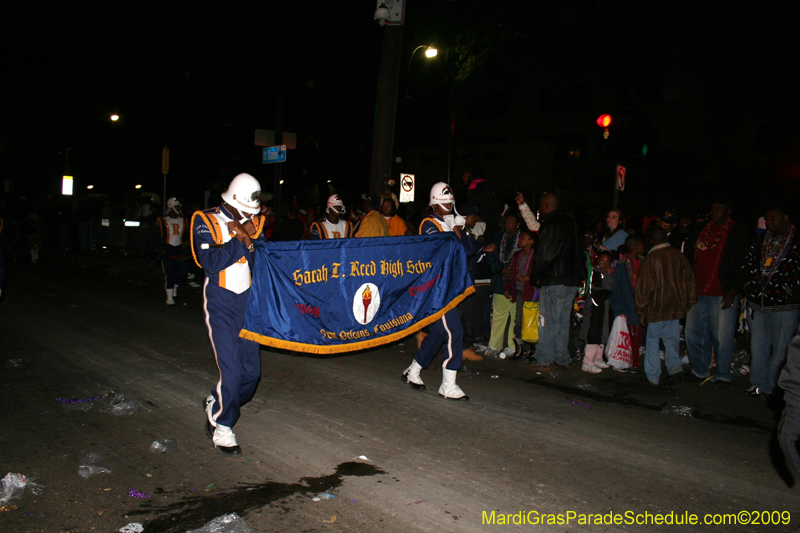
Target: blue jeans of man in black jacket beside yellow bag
[555,307]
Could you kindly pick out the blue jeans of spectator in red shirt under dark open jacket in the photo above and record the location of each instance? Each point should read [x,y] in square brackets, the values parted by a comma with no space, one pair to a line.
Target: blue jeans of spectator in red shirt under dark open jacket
[707,325]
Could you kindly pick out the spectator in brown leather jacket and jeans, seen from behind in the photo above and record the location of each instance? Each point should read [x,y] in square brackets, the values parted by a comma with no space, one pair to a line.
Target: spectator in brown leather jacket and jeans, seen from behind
[665,291]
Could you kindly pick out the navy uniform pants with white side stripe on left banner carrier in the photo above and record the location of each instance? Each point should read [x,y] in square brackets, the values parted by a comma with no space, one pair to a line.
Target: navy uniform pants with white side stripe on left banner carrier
[238,359]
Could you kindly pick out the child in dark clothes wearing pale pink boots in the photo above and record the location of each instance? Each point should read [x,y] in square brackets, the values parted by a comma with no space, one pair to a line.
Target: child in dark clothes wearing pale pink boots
[595,327]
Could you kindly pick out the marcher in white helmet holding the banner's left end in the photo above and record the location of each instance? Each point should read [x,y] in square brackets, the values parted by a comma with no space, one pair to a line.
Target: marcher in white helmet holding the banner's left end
[223,244]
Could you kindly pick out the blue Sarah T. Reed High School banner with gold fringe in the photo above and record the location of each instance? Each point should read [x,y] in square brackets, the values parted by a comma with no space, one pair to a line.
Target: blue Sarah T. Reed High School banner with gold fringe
[341,295]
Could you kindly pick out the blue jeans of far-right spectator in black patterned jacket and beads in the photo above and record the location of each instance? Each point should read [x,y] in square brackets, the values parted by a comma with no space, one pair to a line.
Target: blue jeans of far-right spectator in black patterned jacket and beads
[770,335]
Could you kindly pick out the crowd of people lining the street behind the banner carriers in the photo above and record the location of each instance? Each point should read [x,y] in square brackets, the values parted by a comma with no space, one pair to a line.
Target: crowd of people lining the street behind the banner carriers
[686,283]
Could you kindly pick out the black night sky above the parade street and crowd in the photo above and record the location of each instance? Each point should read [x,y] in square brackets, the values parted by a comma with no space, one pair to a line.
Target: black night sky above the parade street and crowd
[200,78]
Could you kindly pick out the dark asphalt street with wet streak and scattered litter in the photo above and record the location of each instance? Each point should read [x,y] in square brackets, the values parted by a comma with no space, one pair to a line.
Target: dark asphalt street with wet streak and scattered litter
[394,459]
